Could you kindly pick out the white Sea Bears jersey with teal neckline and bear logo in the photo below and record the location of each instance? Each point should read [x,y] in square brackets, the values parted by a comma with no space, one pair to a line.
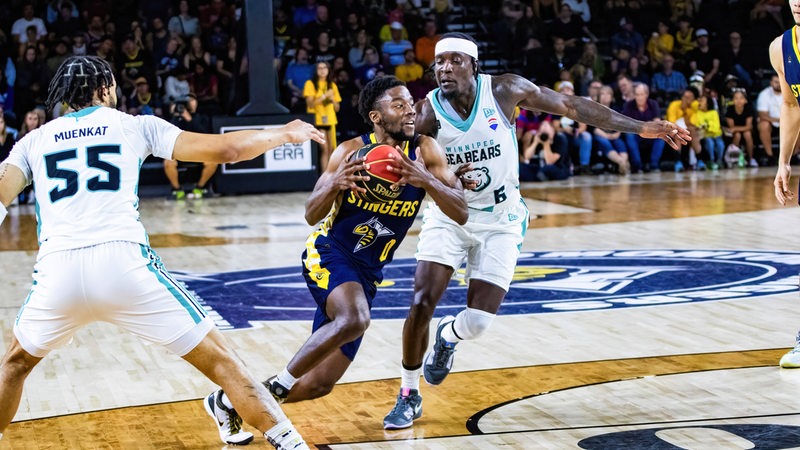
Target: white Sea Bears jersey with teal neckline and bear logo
[487,140]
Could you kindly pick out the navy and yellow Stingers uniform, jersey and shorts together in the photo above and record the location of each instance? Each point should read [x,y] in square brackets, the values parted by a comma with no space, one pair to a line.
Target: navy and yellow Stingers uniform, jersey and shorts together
[355,240]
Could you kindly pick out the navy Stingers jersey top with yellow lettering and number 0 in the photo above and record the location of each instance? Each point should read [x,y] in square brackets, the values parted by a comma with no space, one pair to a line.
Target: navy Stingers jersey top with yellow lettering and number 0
[368,232]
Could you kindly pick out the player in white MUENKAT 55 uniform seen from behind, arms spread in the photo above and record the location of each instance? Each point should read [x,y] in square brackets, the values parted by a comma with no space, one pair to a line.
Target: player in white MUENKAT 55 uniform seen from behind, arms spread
[94,261]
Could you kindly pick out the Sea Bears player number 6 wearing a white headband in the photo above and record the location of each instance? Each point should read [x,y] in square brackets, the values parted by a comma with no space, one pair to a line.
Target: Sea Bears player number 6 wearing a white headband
[470,115]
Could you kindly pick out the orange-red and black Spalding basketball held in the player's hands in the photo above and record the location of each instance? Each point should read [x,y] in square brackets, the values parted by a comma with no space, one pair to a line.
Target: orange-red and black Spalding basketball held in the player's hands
[380,179]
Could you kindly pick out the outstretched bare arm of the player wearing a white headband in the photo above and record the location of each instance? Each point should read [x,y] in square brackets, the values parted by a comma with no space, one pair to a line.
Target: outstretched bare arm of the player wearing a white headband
[529,96]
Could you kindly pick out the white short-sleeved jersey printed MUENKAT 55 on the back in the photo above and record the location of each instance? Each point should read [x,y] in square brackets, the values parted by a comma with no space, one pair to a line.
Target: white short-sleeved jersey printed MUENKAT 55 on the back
[85,168]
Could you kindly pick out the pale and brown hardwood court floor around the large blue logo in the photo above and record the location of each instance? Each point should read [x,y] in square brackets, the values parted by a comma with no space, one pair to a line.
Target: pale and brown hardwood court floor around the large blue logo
[535,381]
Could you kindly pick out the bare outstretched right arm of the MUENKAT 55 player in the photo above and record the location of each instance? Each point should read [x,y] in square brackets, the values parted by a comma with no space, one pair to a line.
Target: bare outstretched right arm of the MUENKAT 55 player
[241,145]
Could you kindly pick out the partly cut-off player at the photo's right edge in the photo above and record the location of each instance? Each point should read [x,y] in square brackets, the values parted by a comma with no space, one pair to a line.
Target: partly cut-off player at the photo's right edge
[785,60]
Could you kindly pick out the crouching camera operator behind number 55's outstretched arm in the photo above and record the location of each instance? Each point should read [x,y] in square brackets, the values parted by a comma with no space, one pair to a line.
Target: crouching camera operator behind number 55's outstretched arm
[183,114]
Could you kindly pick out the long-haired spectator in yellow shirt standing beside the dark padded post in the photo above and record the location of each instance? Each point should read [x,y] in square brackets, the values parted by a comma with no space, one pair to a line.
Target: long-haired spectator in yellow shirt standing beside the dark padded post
[322,100]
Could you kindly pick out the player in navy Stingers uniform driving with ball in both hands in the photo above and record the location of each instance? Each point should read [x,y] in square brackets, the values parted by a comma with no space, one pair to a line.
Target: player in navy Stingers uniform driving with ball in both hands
[354,239]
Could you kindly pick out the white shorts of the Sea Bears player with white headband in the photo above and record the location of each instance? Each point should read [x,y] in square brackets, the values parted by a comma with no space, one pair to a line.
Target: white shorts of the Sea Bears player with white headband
[489,242]
